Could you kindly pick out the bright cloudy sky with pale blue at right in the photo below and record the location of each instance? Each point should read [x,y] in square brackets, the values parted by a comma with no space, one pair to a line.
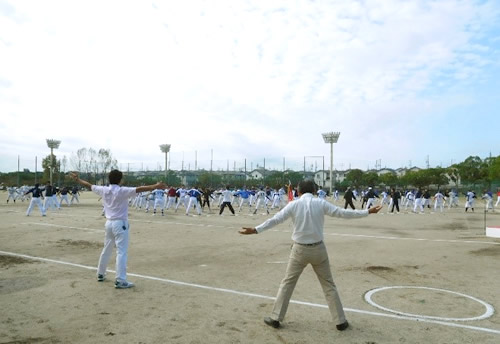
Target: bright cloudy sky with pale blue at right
[229,82]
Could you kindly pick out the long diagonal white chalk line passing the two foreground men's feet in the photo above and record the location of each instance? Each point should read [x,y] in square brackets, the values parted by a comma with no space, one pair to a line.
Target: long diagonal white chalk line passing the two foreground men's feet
[236,292]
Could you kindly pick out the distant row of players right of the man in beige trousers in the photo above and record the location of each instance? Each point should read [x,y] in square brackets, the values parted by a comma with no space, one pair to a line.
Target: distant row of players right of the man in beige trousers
[417,200]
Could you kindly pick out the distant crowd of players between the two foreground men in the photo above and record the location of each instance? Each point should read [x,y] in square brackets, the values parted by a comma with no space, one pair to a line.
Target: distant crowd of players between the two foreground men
[174,197]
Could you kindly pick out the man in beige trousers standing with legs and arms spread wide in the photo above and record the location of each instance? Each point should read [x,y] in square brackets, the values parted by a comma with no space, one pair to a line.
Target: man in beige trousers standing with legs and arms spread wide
[307,215]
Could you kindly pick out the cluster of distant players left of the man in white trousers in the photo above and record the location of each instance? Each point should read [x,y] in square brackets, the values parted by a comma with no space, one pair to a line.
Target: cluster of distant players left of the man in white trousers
[48,194]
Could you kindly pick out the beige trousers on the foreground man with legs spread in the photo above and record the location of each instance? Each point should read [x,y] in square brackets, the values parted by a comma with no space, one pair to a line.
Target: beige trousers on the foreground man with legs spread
[300,257]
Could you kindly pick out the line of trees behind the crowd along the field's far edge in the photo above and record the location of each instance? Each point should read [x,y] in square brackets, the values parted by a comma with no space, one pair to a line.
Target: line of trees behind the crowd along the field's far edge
[94,166]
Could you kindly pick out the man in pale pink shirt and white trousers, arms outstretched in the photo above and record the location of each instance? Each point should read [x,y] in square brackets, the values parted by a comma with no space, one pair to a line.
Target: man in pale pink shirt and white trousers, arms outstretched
[115,202]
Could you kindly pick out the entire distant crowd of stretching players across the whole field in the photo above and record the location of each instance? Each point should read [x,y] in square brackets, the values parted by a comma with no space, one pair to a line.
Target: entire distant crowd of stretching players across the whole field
[264,199]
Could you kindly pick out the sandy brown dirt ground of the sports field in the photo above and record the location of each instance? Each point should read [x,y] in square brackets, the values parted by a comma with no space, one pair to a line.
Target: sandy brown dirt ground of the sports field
[199,281]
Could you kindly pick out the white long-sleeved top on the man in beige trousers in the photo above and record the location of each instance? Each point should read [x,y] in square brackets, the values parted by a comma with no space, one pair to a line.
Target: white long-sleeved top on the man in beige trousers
[307,215]
